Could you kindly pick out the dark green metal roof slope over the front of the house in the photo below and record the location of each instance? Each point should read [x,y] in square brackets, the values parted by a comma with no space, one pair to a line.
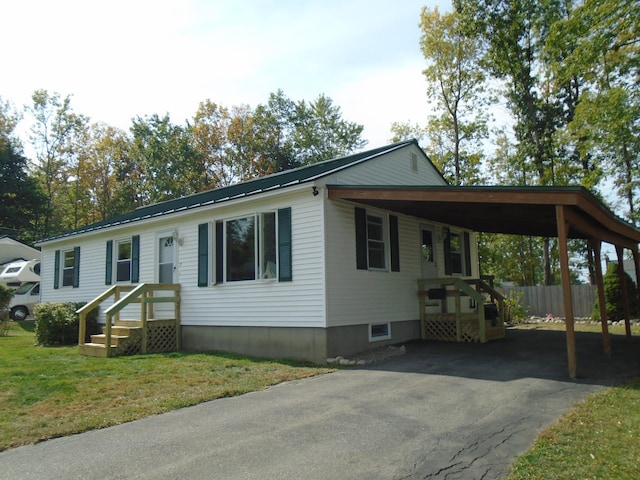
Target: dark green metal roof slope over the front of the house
[275,181]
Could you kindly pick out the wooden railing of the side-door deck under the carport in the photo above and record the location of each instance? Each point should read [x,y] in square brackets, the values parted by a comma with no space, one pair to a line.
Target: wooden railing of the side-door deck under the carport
[474,289]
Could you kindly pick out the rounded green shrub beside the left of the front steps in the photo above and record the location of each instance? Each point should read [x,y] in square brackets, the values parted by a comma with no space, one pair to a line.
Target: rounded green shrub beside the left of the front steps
[58,323]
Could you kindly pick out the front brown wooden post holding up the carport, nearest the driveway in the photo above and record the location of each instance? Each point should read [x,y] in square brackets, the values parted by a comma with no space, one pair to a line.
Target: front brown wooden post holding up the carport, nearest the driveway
[563,229]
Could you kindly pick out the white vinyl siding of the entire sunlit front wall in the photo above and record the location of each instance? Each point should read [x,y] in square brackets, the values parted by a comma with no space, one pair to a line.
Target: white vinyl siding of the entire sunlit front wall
[299,303]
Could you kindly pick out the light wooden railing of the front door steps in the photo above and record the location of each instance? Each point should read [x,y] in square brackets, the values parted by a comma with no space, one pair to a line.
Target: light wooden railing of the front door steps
[144,294]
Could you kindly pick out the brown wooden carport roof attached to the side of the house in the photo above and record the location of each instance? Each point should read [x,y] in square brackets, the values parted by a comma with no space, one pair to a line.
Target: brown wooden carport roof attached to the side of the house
[511,210]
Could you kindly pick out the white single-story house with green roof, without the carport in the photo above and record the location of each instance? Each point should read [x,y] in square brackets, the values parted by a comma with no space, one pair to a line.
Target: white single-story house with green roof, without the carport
[272,266]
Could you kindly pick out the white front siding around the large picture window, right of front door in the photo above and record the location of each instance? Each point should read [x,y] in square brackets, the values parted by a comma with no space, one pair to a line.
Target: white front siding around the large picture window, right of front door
[259,303]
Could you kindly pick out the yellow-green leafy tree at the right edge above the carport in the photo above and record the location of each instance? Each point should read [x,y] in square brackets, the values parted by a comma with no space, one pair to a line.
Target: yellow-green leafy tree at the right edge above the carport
[600,40]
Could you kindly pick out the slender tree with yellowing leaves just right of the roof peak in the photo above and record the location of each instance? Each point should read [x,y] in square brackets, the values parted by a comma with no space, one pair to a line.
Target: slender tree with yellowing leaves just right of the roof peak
[456,84]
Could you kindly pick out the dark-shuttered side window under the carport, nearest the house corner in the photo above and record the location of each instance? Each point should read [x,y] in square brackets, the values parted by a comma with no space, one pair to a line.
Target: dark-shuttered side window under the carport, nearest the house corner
[377,243]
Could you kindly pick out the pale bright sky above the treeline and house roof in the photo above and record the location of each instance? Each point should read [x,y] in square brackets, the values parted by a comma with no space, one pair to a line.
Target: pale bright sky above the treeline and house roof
[121,59]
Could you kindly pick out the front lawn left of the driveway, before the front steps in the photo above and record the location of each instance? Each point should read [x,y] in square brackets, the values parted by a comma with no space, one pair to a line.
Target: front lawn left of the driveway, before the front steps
[48,392]
